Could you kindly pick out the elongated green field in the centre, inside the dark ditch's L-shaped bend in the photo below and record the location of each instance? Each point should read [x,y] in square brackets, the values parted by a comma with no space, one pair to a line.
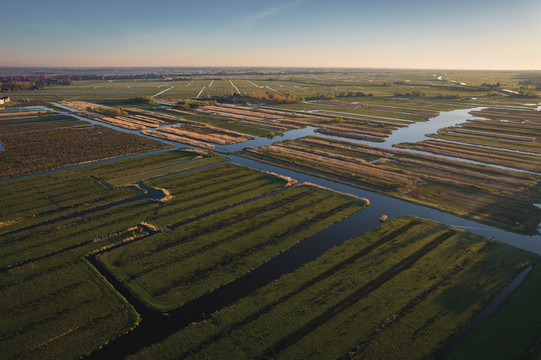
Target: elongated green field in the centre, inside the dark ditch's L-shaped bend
[172,268]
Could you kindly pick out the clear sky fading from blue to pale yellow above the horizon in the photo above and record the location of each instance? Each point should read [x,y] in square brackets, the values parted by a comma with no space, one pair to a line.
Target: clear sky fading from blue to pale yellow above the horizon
[436,34]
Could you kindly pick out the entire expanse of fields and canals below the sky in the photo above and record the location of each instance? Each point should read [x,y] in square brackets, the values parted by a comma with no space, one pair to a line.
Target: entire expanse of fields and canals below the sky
[271,213]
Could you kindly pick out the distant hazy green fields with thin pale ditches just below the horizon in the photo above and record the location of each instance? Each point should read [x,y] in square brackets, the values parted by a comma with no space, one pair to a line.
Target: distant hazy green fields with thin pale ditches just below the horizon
[381,84]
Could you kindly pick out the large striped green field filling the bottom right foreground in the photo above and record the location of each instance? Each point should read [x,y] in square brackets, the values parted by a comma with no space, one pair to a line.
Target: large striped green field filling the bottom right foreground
[403,291]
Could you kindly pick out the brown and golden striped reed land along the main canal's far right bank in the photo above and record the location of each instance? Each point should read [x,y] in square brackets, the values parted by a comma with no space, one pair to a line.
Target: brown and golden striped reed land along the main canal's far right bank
[500,196]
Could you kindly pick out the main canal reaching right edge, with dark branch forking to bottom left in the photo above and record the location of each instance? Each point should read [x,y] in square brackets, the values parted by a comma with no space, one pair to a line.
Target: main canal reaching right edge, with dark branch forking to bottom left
[156,326]
